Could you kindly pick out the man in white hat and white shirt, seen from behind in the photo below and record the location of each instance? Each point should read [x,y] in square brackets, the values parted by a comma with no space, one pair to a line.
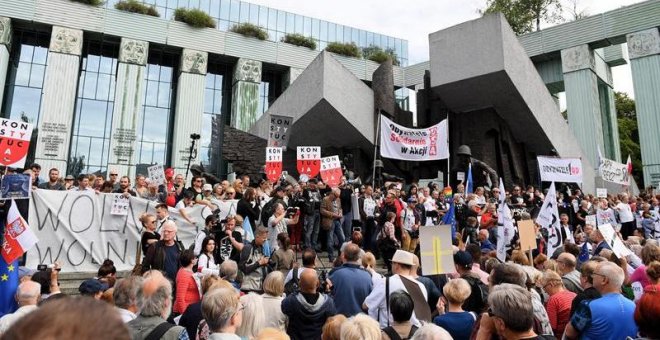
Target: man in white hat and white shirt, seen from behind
[376,302]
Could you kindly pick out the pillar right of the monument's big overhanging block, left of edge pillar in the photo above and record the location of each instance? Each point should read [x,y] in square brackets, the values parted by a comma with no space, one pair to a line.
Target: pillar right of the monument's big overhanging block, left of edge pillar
[582,99]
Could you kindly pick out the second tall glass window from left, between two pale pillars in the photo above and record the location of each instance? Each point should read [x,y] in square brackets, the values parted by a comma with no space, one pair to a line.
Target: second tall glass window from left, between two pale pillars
[90,143]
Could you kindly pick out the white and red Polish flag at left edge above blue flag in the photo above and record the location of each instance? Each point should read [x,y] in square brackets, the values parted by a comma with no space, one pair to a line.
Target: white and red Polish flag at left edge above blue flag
[18,236]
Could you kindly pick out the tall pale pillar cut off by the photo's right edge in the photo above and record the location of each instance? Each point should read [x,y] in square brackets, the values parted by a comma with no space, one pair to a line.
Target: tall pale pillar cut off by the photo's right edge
[644,53]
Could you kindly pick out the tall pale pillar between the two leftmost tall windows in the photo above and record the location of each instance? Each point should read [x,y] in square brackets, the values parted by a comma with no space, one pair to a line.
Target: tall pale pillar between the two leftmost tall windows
[59,99]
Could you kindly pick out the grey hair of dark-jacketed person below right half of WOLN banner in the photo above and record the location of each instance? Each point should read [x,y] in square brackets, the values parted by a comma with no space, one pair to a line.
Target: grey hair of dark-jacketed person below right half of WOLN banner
[158,302]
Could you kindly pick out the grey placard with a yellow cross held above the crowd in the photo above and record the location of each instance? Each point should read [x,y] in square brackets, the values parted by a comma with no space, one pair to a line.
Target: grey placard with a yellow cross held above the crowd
[437,253]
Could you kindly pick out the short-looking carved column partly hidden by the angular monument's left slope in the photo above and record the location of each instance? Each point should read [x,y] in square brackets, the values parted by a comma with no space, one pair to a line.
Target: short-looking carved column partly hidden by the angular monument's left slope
[245,94]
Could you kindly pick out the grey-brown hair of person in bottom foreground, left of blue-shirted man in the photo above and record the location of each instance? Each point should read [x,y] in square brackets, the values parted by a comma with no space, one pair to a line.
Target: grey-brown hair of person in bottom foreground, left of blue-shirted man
[513,304]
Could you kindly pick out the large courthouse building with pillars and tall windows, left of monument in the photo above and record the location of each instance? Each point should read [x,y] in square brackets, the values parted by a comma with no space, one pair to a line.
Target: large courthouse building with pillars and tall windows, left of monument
[107,89]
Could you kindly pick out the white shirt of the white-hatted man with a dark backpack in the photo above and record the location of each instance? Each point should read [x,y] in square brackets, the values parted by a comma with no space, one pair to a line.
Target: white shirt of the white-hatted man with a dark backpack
[376,301]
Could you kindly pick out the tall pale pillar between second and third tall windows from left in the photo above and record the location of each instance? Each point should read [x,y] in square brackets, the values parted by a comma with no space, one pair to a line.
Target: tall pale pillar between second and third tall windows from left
[129,100]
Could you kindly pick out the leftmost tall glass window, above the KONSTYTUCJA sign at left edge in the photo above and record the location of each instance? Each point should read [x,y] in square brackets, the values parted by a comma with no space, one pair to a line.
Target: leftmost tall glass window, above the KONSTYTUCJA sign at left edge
[25,80]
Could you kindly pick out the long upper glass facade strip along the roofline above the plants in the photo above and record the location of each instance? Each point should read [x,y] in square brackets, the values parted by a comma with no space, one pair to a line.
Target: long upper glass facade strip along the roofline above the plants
[278,23]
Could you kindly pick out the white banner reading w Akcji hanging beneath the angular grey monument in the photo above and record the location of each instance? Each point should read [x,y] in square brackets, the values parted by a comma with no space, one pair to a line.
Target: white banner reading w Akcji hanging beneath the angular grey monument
[399,142]
